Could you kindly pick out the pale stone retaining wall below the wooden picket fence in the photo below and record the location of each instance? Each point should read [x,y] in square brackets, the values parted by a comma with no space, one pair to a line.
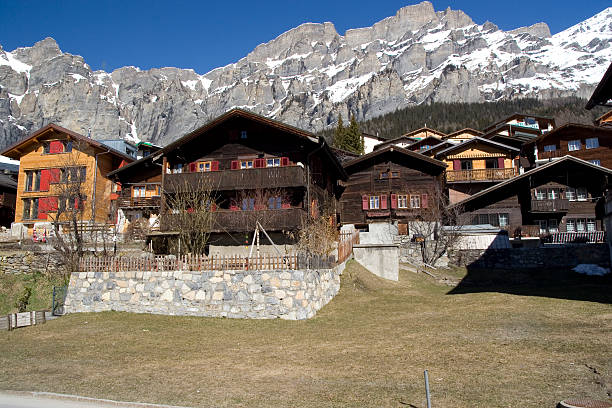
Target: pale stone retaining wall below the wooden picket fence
[285,294]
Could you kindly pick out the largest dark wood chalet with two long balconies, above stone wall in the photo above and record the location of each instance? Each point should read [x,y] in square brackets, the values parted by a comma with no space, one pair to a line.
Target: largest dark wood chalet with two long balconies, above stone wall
[258,170]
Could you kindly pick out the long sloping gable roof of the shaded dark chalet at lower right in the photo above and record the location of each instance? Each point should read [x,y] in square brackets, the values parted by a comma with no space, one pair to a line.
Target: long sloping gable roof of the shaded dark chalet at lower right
[509,187]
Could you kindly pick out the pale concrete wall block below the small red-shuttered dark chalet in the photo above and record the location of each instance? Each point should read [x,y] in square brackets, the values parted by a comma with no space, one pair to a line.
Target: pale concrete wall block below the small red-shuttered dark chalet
[380,259]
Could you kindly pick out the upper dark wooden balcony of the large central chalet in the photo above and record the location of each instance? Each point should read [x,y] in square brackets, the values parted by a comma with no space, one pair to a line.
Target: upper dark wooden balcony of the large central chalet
[269,177]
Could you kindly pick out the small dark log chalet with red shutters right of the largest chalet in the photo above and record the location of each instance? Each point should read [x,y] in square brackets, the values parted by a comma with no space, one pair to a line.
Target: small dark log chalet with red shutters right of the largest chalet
[389,184]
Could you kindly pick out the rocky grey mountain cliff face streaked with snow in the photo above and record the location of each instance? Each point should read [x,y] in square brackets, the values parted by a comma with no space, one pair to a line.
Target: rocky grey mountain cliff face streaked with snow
[308,76]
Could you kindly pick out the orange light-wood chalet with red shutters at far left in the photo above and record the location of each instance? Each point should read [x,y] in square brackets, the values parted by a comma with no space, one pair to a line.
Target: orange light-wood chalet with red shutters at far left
[53,156]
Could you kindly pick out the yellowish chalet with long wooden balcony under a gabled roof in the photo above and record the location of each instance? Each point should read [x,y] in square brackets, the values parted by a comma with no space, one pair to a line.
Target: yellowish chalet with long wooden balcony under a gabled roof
[476,164]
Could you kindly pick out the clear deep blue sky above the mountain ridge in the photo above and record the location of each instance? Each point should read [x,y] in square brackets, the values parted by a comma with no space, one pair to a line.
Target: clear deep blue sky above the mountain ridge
[207,34]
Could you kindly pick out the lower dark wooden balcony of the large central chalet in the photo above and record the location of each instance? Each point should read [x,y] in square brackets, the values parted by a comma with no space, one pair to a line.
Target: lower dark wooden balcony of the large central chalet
[242,221]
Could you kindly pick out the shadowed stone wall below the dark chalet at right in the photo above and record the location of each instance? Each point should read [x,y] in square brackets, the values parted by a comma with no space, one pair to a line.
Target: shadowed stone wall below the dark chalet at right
[548,256]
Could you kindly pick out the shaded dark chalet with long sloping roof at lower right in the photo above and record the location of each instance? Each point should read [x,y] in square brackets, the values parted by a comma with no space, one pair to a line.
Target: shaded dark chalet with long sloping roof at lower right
[563,196]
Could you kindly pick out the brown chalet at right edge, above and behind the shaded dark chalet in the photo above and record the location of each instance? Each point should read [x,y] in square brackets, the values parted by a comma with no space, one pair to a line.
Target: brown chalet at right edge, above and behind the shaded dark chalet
[589,143]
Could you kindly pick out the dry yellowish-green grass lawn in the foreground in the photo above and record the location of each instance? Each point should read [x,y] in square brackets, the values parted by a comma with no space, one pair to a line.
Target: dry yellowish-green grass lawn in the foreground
[368,347]
